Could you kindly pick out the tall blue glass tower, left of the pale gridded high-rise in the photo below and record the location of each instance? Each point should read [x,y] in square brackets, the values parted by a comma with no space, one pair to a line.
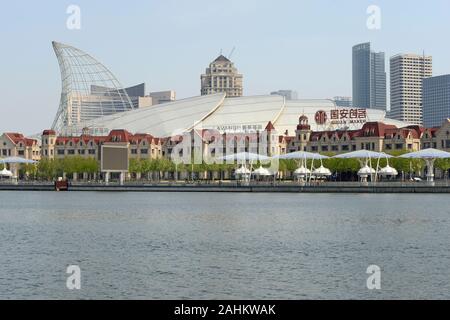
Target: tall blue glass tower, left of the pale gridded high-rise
[369,78]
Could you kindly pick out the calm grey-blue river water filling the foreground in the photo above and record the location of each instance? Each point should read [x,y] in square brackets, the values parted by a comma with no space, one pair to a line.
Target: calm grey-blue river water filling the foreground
[223,245]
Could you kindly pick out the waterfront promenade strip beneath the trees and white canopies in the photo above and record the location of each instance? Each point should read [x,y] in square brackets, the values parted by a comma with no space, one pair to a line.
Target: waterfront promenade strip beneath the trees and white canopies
[234,186]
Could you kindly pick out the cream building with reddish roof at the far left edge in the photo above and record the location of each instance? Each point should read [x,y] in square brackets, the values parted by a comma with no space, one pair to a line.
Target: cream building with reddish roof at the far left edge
[17,145]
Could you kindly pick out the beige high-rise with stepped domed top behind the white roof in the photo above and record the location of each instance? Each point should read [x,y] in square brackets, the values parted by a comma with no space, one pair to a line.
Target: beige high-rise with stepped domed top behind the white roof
[222,76]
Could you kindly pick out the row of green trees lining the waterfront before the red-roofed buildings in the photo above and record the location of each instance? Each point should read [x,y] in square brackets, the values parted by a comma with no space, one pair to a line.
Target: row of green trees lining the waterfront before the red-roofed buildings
[49,169]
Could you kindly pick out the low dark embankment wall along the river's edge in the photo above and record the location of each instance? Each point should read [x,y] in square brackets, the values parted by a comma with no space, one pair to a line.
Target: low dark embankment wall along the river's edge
[256,188]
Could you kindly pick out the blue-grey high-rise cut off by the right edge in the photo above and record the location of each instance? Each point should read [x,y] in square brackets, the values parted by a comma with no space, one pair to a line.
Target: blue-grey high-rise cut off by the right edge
[436,100]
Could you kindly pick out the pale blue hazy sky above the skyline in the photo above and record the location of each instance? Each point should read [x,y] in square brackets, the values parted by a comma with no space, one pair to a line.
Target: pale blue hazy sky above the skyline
[303,45]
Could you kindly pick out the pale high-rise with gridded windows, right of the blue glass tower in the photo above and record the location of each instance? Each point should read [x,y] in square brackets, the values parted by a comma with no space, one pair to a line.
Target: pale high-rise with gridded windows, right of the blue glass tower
[407,74]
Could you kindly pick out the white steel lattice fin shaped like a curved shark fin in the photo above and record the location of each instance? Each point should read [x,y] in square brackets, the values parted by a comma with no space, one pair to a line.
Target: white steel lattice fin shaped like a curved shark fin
[89,90]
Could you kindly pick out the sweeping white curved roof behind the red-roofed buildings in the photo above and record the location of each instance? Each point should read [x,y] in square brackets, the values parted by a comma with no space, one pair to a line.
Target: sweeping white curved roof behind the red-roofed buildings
[230,114]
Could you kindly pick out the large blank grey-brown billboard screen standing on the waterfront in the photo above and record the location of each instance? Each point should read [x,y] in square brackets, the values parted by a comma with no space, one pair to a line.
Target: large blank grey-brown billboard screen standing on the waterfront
[114,157]
